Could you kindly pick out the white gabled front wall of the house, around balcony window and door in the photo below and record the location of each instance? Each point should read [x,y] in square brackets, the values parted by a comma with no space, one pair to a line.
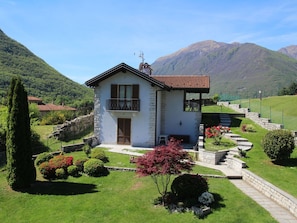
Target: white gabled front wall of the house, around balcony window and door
[143,128]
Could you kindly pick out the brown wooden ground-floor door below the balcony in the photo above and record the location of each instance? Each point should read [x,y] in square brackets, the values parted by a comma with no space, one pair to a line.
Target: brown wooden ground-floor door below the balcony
[124,131]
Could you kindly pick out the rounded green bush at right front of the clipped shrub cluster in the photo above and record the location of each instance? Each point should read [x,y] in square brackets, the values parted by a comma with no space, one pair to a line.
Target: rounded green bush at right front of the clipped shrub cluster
[94,167]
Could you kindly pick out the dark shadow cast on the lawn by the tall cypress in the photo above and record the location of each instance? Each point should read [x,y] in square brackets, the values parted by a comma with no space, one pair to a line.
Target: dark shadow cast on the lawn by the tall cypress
[60,188]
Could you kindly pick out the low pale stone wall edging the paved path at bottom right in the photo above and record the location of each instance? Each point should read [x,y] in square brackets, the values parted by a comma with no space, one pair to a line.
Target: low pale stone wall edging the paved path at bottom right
[281,197]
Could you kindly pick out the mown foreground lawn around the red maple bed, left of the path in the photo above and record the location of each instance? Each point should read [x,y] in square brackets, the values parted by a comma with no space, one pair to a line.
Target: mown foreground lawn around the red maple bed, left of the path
[119,197]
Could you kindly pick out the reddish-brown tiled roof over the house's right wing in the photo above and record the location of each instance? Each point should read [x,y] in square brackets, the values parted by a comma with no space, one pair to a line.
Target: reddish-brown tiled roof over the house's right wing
[185,81]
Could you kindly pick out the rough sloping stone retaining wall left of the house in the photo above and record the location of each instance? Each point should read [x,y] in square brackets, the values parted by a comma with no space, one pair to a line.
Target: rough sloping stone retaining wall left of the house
[74,127]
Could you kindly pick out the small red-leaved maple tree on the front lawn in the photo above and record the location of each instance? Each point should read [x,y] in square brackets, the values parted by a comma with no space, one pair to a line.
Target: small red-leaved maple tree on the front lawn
[162,162]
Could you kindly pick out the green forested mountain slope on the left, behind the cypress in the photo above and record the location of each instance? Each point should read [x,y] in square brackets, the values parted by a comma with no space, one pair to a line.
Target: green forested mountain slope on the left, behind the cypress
[40,79]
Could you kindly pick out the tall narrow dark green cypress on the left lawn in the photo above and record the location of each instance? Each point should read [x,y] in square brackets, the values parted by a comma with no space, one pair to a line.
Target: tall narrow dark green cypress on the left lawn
[20,166]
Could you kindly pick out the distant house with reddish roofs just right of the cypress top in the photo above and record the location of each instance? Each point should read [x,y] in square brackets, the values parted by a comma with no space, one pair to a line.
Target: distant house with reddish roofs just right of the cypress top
[45,108]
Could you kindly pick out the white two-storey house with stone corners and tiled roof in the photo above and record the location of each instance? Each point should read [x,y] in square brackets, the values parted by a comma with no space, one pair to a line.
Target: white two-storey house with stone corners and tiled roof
[135,108]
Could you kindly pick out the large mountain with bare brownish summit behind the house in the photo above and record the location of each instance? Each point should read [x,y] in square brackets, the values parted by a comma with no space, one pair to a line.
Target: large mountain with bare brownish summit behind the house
[235,70]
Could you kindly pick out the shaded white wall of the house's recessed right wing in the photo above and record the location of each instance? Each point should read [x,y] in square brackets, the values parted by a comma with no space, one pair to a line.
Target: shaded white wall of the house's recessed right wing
[174,120]
